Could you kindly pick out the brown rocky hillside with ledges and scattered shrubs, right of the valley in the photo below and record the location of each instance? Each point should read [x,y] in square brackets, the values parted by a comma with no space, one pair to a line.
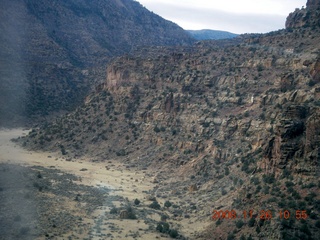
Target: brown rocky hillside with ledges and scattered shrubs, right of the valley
[222,125]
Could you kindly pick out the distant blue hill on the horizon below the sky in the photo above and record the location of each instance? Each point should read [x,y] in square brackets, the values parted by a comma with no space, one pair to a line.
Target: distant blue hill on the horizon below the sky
[207,34]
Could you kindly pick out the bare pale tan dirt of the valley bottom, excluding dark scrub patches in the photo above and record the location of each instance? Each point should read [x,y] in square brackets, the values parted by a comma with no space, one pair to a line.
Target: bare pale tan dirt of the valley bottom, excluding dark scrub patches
[125,185]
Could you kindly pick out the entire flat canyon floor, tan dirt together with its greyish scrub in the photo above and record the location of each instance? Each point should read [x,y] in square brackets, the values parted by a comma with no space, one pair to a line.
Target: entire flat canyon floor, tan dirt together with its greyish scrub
[47,196]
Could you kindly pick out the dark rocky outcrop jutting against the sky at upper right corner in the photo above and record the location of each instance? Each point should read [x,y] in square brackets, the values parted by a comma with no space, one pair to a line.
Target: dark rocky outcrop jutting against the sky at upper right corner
[306,17]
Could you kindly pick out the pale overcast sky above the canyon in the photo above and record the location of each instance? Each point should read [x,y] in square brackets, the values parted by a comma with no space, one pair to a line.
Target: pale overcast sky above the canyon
[237,16]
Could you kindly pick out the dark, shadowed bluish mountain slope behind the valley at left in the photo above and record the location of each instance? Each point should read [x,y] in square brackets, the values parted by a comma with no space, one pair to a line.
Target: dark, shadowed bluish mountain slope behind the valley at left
[53,52]
